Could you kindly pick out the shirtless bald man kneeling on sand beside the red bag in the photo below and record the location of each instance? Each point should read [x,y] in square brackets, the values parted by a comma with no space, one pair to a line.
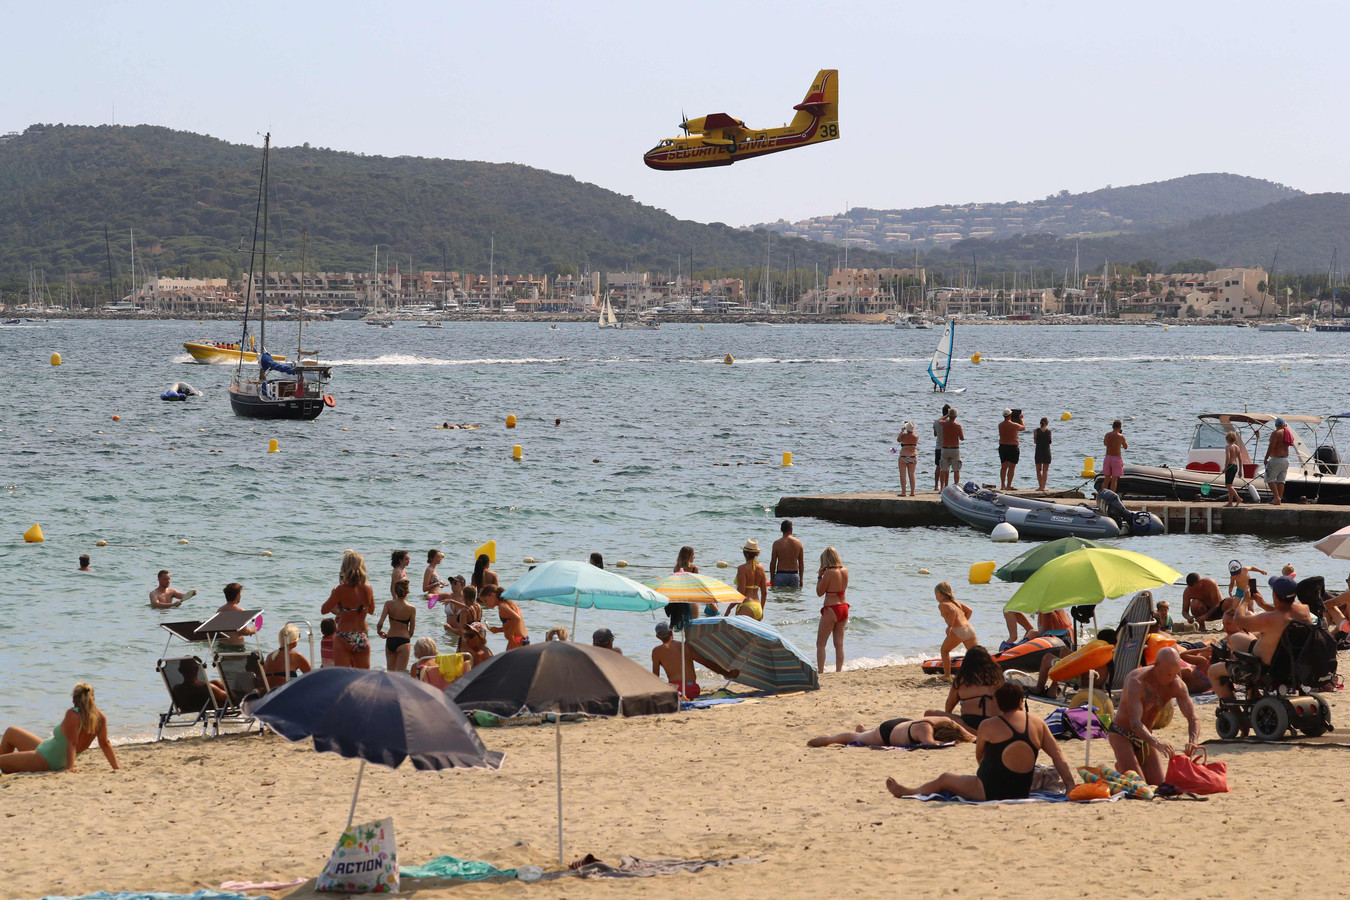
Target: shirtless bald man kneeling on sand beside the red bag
[1148,692]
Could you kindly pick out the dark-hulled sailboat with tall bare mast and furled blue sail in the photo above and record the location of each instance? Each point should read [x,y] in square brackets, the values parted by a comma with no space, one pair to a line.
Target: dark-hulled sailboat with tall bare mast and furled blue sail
[277,391]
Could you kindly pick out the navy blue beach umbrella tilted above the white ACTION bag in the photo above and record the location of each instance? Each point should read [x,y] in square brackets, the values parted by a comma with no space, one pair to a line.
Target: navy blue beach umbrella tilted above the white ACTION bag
[375,717]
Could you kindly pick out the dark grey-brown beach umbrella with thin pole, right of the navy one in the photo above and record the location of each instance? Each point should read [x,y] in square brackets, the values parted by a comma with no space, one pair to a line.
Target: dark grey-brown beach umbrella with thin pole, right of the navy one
[562,677]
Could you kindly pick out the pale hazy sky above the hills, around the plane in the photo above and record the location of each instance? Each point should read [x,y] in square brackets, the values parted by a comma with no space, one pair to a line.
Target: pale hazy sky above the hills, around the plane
[939,102]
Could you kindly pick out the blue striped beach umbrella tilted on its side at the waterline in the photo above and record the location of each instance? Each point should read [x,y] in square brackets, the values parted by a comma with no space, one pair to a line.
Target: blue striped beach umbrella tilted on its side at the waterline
[766,659]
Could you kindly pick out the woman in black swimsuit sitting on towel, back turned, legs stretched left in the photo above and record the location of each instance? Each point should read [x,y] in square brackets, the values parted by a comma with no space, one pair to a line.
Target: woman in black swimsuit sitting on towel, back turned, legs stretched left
[1006,750]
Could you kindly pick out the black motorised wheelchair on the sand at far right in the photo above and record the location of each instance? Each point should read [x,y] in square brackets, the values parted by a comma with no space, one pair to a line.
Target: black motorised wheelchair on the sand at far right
[1282,698]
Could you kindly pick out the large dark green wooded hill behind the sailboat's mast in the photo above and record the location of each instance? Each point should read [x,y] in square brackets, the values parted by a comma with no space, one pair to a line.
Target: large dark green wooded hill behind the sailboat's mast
[191,202]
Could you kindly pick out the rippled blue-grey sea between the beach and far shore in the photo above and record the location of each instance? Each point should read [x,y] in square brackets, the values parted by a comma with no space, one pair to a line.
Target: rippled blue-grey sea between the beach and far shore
[661,445]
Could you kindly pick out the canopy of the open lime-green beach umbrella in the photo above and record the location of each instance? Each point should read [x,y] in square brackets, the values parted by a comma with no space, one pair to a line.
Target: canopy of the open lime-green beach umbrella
[1089,577]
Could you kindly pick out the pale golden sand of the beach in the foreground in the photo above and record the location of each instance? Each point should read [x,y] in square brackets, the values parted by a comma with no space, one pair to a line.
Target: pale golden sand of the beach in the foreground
[723,783]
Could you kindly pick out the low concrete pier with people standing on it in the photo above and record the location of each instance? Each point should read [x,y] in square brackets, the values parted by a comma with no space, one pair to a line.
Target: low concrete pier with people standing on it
[889,509]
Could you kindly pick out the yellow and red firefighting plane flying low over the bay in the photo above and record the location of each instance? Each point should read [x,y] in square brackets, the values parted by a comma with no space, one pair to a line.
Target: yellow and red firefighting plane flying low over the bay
[720,141]
